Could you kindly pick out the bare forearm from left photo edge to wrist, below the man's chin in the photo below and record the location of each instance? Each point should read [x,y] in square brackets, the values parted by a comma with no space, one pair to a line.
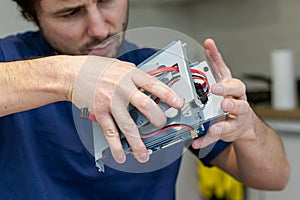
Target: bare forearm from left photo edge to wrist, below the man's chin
[32,83]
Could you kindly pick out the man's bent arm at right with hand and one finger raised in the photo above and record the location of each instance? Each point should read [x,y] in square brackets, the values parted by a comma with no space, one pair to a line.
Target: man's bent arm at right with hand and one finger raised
[256,155]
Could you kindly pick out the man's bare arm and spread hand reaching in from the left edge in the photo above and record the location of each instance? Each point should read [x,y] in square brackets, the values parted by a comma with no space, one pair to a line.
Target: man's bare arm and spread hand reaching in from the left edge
[103,85]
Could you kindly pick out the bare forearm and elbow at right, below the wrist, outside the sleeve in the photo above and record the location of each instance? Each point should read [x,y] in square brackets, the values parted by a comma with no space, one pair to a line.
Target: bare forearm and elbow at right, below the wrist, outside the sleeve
[259,162]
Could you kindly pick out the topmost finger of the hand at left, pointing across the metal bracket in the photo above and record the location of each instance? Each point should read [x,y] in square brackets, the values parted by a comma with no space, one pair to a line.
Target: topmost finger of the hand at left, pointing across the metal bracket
[157,88]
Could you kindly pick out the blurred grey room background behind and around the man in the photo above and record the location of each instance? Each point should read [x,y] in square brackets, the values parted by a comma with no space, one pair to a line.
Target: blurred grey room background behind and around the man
[246,32]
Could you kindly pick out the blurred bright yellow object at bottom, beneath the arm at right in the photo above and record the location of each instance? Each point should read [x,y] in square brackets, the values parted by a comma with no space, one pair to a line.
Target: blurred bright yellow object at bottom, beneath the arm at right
[215,182]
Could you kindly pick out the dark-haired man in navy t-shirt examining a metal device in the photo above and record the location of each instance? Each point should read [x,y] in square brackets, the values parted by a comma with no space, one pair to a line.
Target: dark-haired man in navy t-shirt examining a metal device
[41,154]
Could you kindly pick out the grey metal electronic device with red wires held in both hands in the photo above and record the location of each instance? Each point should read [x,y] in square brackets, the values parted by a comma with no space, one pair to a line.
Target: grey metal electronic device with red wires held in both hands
[190,80]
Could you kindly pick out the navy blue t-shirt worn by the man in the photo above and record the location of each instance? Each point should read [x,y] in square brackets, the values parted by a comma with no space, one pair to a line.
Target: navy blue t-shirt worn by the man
[42,156]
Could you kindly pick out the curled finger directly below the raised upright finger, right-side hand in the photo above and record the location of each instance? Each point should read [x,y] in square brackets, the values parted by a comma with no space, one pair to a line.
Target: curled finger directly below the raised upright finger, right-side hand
[232,87]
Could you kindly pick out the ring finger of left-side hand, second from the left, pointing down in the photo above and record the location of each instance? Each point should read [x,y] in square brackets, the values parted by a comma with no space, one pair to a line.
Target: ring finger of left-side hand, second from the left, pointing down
[130,131]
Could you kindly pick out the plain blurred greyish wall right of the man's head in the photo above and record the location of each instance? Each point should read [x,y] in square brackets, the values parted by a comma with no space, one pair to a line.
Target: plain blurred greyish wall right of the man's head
[245,30]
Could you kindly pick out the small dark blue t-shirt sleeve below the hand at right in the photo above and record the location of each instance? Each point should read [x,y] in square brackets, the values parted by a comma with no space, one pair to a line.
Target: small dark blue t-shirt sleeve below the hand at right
[207,154]
